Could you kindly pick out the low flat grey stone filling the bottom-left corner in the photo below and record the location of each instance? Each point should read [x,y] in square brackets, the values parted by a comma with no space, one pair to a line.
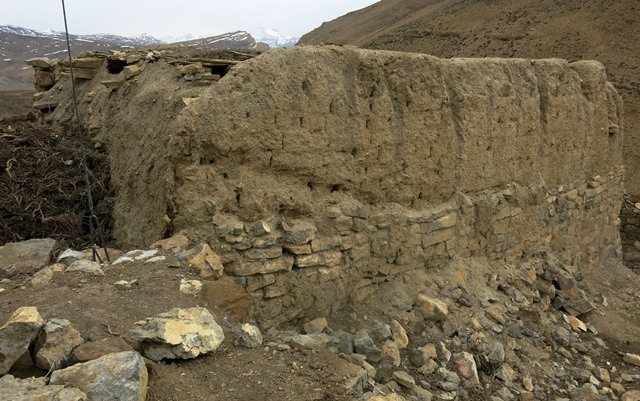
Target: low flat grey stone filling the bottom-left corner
[36,389]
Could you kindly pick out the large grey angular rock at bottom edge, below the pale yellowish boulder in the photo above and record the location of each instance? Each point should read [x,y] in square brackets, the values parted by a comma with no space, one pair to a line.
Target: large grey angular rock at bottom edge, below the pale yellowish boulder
[122,376]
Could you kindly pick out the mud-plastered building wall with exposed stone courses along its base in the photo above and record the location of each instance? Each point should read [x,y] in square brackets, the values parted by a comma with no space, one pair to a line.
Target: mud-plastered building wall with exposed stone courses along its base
[317,173]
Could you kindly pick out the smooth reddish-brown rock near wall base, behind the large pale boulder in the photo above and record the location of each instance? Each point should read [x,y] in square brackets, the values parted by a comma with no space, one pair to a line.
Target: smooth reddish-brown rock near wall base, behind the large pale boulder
[231,298]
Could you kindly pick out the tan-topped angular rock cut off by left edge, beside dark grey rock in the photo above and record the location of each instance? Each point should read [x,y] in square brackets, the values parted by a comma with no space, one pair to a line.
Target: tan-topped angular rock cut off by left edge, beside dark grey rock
[17,334]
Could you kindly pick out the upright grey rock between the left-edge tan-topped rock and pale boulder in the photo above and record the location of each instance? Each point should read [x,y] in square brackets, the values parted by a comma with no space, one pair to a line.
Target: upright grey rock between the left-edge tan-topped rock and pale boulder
[54,345]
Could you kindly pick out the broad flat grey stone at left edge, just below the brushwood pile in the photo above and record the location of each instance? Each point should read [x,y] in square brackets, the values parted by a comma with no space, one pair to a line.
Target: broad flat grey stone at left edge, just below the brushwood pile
[25,257]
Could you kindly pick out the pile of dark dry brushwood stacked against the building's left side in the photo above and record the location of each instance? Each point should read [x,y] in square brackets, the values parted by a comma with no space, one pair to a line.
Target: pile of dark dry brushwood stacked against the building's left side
[43,184]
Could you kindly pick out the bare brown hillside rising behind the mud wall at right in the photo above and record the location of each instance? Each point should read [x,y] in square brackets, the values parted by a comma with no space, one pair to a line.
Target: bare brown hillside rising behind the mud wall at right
[578,29]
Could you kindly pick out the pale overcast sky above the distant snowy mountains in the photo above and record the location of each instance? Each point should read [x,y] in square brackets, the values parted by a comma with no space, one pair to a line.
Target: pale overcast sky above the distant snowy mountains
[161,18]
